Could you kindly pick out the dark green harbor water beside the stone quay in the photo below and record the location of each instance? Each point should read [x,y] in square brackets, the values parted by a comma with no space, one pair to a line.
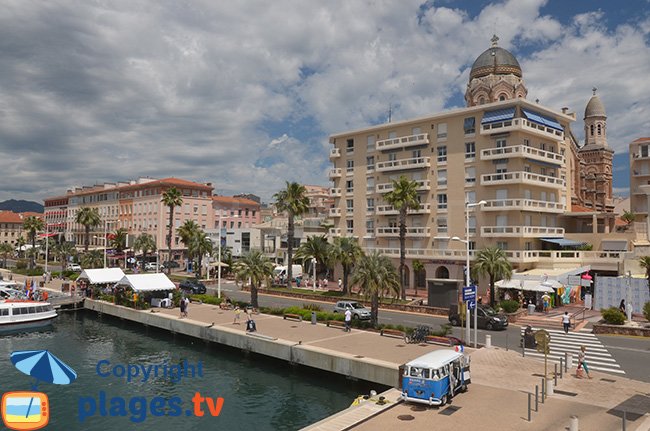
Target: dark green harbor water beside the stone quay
[255,392]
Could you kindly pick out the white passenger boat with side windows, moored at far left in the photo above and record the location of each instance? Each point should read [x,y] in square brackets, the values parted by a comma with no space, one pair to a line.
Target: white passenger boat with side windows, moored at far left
[18,313]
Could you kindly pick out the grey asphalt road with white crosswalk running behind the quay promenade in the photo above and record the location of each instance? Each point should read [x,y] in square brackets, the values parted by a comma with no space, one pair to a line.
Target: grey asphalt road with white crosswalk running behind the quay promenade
[630,353]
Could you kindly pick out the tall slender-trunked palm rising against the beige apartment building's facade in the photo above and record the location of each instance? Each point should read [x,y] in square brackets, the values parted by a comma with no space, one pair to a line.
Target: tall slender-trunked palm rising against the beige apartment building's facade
[403,197]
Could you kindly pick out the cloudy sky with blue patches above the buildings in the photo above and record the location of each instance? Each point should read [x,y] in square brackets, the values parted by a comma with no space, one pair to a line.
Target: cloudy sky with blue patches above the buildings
[245,94]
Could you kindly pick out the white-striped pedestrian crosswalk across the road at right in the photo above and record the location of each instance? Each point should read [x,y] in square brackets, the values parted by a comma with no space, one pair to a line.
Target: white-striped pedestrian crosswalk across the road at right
[597,356]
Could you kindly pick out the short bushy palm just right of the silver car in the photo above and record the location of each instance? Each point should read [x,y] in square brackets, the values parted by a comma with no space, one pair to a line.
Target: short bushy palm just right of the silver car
[376,277]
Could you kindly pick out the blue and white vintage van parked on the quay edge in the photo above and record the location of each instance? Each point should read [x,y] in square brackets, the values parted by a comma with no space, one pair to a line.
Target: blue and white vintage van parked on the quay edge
[436,377]
